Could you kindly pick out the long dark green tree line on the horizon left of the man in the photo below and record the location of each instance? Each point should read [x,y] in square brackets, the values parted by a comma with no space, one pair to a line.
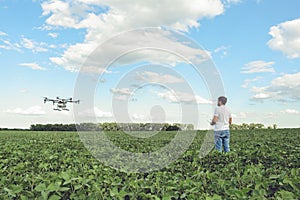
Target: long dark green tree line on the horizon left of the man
[112,126]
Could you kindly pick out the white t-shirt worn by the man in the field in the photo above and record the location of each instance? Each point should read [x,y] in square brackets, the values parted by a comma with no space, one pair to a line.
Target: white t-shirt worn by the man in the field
[223,114]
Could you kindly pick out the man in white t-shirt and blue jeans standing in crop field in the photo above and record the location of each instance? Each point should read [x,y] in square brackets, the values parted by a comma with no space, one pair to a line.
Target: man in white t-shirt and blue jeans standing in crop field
[221,120]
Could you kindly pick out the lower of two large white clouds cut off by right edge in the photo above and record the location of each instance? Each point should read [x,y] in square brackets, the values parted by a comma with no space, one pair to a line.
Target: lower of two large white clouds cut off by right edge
[283,88]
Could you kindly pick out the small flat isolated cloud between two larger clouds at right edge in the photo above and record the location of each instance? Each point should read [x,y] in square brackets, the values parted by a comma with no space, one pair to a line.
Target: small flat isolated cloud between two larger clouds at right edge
[258,66]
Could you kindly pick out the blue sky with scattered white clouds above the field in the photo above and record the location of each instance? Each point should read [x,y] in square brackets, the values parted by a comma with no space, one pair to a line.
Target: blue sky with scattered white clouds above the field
[46,47]
